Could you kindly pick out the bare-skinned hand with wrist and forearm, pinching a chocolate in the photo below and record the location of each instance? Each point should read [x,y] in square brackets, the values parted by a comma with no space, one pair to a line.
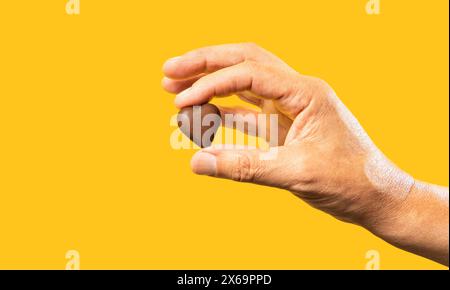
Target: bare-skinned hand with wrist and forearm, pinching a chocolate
[324,155]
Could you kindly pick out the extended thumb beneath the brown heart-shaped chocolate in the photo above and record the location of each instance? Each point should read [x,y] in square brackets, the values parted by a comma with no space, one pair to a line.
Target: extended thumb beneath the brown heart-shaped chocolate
[254,166]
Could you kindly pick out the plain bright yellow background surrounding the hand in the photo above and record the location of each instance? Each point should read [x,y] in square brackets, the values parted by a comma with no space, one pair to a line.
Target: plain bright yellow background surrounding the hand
[85,160]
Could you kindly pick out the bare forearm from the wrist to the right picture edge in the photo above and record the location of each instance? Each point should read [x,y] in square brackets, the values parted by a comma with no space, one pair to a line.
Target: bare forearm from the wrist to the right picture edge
[421,223]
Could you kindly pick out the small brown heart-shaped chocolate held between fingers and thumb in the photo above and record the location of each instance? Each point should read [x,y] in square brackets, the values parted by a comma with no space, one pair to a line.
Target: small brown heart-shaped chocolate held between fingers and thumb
[200,123]
